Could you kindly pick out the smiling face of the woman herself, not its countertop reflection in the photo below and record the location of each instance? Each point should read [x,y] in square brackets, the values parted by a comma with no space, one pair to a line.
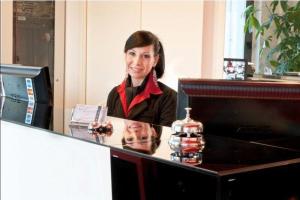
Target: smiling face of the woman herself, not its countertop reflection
[140,61]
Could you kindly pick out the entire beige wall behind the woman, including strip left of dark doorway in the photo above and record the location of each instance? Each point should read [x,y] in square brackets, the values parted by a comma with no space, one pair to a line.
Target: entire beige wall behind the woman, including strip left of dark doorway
[89,52]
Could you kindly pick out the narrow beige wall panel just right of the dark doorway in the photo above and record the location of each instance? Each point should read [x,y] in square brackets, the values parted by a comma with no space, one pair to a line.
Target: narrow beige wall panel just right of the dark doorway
[75,57]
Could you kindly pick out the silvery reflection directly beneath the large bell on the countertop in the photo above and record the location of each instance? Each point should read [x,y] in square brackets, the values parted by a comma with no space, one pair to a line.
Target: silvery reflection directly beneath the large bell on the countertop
[191,158]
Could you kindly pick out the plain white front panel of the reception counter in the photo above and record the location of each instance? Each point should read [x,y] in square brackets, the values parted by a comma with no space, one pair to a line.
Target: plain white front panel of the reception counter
[39,164]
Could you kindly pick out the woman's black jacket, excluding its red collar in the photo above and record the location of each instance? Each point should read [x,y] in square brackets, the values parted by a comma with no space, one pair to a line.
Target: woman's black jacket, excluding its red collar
[158,109]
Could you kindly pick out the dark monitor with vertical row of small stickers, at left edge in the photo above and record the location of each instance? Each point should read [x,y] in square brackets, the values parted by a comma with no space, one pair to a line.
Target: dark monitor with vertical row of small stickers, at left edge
[27,83]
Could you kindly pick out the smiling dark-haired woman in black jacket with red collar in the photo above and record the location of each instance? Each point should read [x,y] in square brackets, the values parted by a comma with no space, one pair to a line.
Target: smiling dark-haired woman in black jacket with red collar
[140,96]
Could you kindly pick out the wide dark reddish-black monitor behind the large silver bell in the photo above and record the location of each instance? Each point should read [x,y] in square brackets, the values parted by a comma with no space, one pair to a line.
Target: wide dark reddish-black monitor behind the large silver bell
[242,108]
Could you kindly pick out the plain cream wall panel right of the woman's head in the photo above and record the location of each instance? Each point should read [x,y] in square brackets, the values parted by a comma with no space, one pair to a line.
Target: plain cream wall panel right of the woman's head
[179,25]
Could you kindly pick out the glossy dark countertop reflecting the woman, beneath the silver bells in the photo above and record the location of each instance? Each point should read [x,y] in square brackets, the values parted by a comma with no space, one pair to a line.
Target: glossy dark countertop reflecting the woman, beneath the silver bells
[221,155]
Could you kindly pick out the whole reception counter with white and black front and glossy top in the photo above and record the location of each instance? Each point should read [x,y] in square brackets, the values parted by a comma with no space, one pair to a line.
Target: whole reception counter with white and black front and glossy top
[40,164]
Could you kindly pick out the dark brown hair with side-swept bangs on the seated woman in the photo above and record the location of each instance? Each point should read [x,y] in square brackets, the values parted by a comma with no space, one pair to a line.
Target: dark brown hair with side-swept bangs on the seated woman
[146,38]
